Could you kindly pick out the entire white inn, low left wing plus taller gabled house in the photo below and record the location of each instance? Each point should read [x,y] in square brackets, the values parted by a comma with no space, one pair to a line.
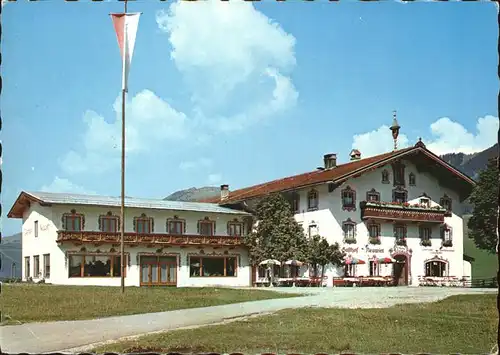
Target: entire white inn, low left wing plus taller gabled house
[404,205]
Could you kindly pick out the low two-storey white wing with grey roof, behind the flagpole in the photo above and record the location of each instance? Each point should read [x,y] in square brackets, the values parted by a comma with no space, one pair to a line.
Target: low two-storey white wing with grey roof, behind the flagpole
[74,240]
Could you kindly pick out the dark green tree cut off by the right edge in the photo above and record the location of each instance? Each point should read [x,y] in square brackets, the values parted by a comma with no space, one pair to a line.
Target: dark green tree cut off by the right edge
[484,198]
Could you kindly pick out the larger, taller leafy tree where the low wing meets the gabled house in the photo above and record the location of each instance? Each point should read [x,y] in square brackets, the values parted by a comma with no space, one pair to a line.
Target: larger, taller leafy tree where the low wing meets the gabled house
[277,234]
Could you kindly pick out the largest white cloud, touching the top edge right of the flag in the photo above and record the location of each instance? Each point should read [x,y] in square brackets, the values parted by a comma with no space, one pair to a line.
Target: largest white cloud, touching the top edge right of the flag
[237,77]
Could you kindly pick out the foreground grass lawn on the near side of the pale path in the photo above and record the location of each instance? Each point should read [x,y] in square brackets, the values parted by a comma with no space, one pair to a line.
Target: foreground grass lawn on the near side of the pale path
[465,324]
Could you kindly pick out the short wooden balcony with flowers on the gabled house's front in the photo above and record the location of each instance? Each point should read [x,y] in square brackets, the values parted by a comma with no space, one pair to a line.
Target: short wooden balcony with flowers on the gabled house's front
[393,211]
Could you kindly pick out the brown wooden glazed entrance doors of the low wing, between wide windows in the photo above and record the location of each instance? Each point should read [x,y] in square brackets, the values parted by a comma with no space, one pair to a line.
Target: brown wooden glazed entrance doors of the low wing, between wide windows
[158,271]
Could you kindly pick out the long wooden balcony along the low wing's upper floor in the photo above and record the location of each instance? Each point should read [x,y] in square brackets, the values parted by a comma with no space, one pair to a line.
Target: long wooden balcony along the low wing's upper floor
[146,239]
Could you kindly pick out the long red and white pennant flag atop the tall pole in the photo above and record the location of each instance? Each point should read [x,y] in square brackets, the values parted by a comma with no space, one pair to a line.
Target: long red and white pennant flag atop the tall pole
[126,30]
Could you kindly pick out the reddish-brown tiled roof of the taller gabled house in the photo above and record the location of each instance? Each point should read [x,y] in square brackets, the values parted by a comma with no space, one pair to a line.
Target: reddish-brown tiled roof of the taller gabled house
[336,174]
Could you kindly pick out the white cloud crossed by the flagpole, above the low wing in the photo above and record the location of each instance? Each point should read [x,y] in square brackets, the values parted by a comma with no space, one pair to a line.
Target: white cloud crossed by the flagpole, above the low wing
[150,120]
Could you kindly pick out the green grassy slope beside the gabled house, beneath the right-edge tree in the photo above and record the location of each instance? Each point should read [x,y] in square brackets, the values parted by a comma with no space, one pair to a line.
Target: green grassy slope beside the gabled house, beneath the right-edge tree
[485,265]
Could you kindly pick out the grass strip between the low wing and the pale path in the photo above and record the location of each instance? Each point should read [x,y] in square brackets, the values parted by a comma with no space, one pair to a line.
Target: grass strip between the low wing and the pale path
[40,303]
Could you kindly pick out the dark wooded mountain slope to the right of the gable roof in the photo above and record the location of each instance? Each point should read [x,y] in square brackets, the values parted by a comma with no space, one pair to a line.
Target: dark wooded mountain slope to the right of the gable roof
[471,164]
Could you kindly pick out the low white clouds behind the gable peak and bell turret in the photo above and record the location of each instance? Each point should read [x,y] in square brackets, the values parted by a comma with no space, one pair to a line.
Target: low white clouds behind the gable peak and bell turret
[446,136]
